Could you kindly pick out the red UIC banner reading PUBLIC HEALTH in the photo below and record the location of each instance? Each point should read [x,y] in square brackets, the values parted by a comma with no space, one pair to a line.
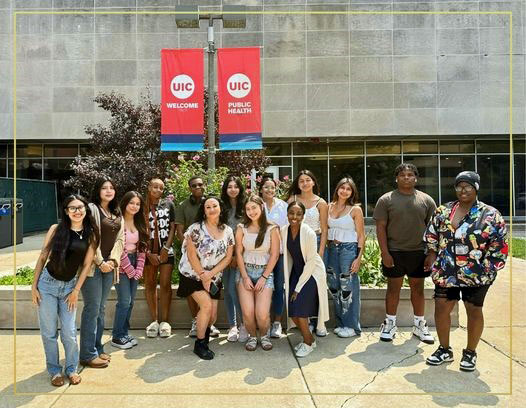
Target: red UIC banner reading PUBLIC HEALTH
[239,98]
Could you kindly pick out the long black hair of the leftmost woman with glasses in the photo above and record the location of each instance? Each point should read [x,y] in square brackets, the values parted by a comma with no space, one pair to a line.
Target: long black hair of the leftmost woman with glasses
[60,241]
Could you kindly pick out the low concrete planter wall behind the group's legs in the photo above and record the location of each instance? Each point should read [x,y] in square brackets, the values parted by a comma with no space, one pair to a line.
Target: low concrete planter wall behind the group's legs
[372,310]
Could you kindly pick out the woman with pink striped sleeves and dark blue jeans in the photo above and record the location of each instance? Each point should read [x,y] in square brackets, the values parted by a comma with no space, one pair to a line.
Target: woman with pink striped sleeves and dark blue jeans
[131,268]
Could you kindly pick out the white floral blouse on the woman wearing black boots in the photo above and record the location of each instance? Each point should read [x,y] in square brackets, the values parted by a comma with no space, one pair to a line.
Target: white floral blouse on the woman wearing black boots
[210,251]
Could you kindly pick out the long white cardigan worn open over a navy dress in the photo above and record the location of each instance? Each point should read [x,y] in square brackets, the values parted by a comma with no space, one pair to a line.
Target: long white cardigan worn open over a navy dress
[313,267]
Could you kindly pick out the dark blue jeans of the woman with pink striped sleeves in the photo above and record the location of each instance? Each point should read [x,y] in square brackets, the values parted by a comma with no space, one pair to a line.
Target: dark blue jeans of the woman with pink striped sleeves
[126,290]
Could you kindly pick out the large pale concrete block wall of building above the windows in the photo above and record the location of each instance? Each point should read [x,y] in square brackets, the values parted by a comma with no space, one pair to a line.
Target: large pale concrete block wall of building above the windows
[324,75]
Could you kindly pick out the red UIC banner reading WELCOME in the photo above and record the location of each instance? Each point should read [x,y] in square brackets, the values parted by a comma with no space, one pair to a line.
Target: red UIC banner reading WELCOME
[182,100]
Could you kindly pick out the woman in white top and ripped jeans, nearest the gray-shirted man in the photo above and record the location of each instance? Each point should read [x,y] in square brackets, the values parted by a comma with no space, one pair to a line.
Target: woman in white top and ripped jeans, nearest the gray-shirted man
[346,244]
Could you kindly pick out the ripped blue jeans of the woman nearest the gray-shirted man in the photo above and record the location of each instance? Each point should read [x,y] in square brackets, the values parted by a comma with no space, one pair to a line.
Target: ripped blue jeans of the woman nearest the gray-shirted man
[344,285]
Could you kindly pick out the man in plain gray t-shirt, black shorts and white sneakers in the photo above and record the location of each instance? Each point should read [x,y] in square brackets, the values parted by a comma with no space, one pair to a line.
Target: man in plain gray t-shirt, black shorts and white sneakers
[401,218]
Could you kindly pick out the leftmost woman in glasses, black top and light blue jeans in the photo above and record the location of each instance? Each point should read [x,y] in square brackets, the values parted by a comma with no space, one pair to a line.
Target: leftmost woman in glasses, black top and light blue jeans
[70,247]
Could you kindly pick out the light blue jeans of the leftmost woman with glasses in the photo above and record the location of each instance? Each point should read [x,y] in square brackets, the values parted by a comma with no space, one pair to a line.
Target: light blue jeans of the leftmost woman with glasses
[52,308]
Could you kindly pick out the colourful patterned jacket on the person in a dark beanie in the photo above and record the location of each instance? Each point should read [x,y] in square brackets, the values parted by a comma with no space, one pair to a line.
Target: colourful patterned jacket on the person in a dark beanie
[472,254]
